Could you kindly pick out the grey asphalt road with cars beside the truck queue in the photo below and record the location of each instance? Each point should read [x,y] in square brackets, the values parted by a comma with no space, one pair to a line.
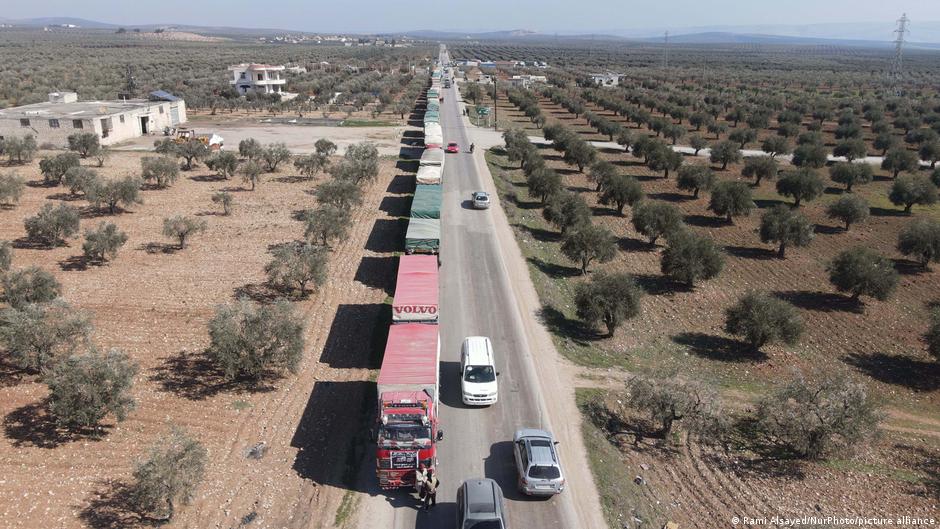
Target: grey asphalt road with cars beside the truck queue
[478,297]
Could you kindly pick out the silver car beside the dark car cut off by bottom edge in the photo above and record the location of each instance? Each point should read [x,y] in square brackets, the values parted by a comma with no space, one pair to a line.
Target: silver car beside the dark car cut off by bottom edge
[537,463]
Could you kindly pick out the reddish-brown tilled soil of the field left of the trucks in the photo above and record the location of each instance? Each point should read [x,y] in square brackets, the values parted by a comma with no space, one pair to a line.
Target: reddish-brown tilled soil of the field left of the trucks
[154,301]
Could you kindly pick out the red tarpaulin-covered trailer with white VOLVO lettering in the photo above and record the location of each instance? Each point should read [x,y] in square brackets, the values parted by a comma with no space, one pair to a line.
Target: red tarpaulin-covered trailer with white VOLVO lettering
[416,294]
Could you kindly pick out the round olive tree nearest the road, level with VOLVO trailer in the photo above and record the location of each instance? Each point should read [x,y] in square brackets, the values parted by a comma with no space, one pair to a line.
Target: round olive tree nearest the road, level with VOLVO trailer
[610,299]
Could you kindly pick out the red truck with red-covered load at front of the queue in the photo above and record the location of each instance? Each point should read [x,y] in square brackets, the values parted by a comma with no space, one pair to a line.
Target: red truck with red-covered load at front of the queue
[407,430]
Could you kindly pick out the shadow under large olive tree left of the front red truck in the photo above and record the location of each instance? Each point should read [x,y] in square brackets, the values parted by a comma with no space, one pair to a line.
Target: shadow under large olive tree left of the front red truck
[194,376]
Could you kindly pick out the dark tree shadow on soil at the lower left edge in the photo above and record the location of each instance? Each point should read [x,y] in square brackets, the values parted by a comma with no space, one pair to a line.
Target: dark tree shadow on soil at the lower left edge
[32,425]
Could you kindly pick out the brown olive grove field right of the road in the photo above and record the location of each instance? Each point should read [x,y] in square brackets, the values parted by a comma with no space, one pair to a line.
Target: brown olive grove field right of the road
[676,333]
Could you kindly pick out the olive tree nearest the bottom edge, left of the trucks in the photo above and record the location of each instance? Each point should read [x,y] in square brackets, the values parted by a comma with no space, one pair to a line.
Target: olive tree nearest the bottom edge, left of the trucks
[168,476]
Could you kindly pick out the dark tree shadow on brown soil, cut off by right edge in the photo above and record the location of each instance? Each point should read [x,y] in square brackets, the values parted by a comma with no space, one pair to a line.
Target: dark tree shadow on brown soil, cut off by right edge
[898,370]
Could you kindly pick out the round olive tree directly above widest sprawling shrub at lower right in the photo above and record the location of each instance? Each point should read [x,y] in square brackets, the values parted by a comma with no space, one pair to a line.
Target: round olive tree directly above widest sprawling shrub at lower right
[761,319]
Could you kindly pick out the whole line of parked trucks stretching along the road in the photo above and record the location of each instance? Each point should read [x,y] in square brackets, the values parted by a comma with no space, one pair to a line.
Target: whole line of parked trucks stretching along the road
[407,429]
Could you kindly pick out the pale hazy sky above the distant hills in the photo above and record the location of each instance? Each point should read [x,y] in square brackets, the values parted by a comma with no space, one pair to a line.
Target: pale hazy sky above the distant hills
[547,16]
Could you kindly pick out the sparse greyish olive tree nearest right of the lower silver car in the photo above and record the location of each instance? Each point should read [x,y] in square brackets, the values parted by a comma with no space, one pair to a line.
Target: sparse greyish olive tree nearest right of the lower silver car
[673,400]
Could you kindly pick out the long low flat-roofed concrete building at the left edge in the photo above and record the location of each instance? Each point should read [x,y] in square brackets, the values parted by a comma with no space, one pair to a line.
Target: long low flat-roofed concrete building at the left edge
[113,121]
